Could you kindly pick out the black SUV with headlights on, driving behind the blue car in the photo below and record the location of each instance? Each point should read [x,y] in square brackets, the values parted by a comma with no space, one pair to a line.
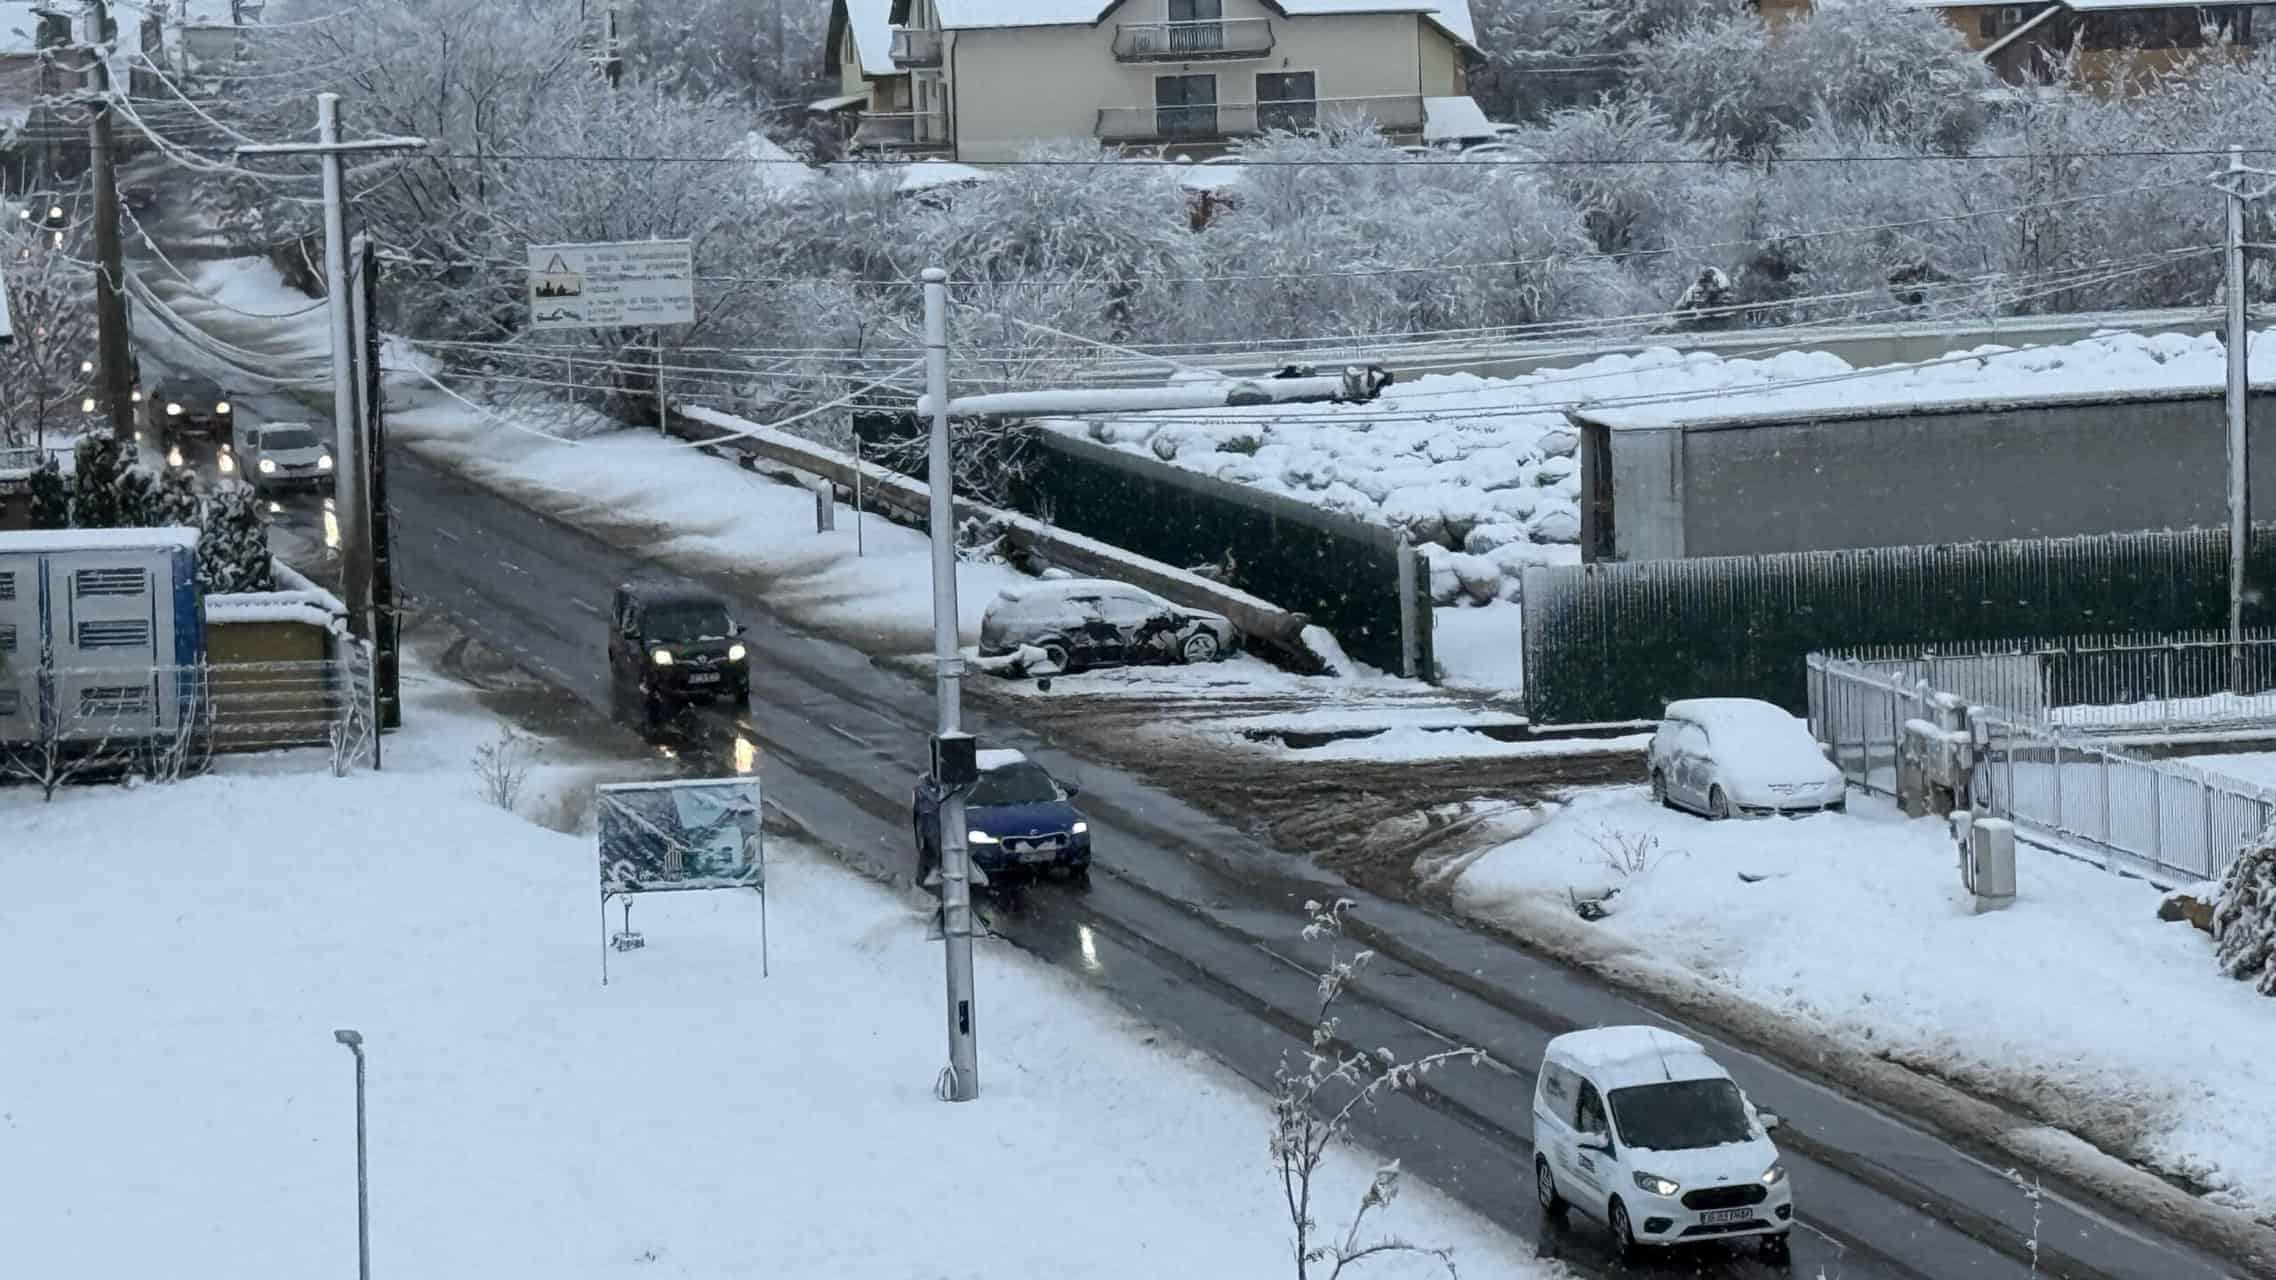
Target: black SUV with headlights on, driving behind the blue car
[677,646]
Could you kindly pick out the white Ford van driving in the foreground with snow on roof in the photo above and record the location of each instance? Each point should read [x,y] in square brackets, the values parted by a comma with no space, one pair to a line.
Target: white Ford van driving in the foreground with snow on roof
[1649,1135]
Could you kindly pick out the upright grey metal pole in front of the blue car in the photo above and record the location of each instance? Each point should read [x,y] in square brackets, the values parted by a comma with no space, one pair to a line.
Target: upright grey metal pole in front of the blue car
[948,666]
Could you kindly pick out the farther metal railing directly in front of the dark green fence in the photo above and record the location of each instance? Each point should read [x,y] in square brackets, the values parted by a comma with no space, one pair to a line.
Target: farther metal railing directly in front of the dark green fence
[2100,684]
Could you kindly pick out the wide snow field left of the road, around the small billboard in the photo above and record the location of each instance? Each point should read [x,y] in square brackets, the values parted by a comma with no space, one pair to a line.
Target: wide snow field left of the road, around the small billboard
[174,1101]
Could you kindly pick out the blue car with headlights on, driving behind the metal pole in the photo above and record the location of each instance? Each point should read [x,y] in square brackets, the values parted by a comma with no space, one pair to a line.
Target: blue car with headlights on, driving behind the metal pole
[1016,819]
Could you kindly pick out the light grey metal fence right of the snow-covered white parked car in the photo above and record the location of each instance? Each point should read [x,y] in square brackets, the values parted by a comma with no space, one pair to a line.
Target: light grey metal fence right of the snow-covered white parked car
[2163,821]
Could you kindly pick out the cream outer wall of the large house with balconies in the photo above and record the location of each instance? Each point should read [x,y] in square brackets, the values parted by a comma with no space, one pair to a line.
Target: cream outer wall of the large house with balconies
[1023,85]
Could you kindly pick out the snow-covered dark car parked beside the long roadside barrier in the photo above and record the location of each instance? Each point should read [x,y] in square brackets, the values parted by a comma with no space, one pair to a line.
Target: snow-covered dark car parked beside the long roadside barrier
[1098,623]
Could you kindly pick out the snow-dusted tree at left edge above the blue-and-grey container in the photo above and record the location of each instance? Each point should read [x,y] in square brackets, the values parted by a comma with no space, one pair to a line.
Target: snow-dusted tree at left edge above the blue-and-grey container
[53,318]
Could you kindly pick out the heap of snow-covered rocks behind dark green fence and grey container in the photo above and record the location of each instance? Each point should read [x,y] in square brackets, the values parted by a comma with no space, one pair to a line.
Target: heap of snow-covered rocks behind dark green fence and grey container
[1483,473]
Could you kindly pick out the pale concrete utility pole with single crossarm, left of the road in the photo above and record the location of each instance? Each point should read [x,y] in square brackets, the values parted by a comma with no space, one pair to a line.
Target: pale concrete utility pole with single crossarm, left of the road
[352,484]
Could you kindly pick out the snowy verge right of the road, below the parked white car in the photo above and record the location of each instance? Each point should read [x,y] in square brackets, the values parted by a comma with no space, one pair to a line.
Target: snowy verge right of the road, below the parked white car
[2077,1001]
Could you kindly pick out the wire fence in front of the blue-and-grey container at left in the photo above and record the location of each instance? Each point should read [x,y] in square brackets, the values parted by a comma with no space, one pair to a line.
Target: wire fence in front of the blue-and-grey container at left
[63,723]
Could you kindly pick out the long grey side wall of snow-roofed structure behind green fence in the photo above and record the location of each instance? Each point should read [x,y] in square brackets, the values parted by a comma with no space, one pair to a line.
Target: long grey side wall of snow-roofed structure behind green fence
[1897,479]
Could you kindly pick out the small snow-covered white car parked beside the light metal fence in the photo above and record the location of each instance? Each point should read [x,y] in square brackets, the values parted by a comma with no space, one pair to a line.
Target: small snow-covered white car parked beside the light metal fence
[1738,755]
